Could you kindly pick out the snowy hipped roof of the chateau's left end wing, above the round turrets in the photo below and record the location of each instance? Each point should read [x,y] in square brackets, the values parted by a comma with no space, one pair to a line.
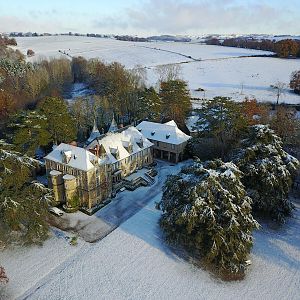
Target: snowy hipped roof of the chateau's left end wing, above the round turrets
[77,157]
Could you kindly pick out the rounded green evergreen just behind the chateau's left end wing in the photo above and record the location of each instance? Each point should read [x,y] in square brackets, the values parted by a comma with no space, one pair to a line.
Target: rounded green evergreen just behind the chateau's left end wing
[60,124]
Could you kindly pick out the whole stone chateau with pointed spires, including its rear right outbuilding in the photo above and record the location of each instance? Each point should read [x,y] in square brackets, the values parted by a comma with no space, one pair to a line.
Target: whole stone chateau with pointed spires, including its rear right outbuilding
[86,177]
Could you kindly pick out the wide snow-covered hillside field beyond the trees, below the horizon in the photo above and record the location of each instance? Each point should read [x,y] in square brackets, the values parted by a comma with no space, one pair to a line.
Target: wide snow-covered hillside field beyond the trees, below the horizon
[222,70]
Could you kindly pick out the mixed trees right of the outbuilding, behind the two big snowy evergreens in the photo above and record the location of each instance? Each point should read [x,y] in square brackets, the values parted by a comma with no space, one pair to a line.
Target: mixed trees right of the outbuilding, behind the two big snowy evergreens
[223,121]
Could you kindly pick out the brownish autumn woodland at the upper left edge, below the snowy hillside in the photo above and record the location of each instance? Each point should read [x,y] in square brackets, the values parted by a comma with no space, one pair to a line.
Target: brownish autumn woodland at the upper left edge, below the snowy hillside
[23,84]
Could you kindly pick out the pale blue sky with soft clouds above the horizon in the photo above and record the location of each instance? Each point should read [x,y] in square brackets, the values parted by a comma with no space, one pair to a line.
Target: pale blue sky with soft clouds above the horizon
[149,17]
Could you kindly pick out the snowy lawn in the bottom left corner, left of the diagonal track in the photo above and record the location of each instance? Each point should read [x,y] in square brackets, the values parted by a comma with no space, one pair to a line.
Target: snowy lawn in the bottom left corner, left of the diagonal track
[26,266]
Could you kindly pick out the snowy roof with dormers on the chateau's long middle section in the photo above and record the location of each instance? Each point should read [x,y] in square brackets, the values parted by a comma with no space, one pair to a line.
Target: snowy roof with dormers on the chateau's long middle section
[117,142]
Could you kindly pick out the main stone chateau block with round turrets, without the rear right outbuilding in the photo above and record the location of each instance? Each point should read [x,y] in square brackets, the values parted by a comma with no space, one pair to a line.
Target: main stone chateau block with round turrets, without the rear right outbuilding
[85,177]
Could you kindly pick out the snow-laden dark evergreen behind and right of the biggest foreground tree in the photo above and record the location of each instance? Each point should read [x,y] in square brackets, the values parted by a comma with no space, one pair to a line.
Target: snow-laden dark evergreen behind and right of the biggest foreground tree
[268,172]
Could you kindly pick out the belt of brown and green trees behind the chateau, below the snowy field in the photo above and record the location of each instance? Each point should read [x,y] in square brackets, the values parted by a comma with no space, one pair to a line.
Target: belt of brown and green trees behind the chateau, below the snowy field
[124,93]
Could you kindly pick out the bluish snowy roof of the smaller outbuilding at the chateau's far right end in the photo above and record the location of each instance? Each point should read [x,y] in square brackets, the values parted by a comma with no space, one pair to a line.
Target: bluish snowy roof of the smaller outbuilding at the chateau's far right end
[168,132]
